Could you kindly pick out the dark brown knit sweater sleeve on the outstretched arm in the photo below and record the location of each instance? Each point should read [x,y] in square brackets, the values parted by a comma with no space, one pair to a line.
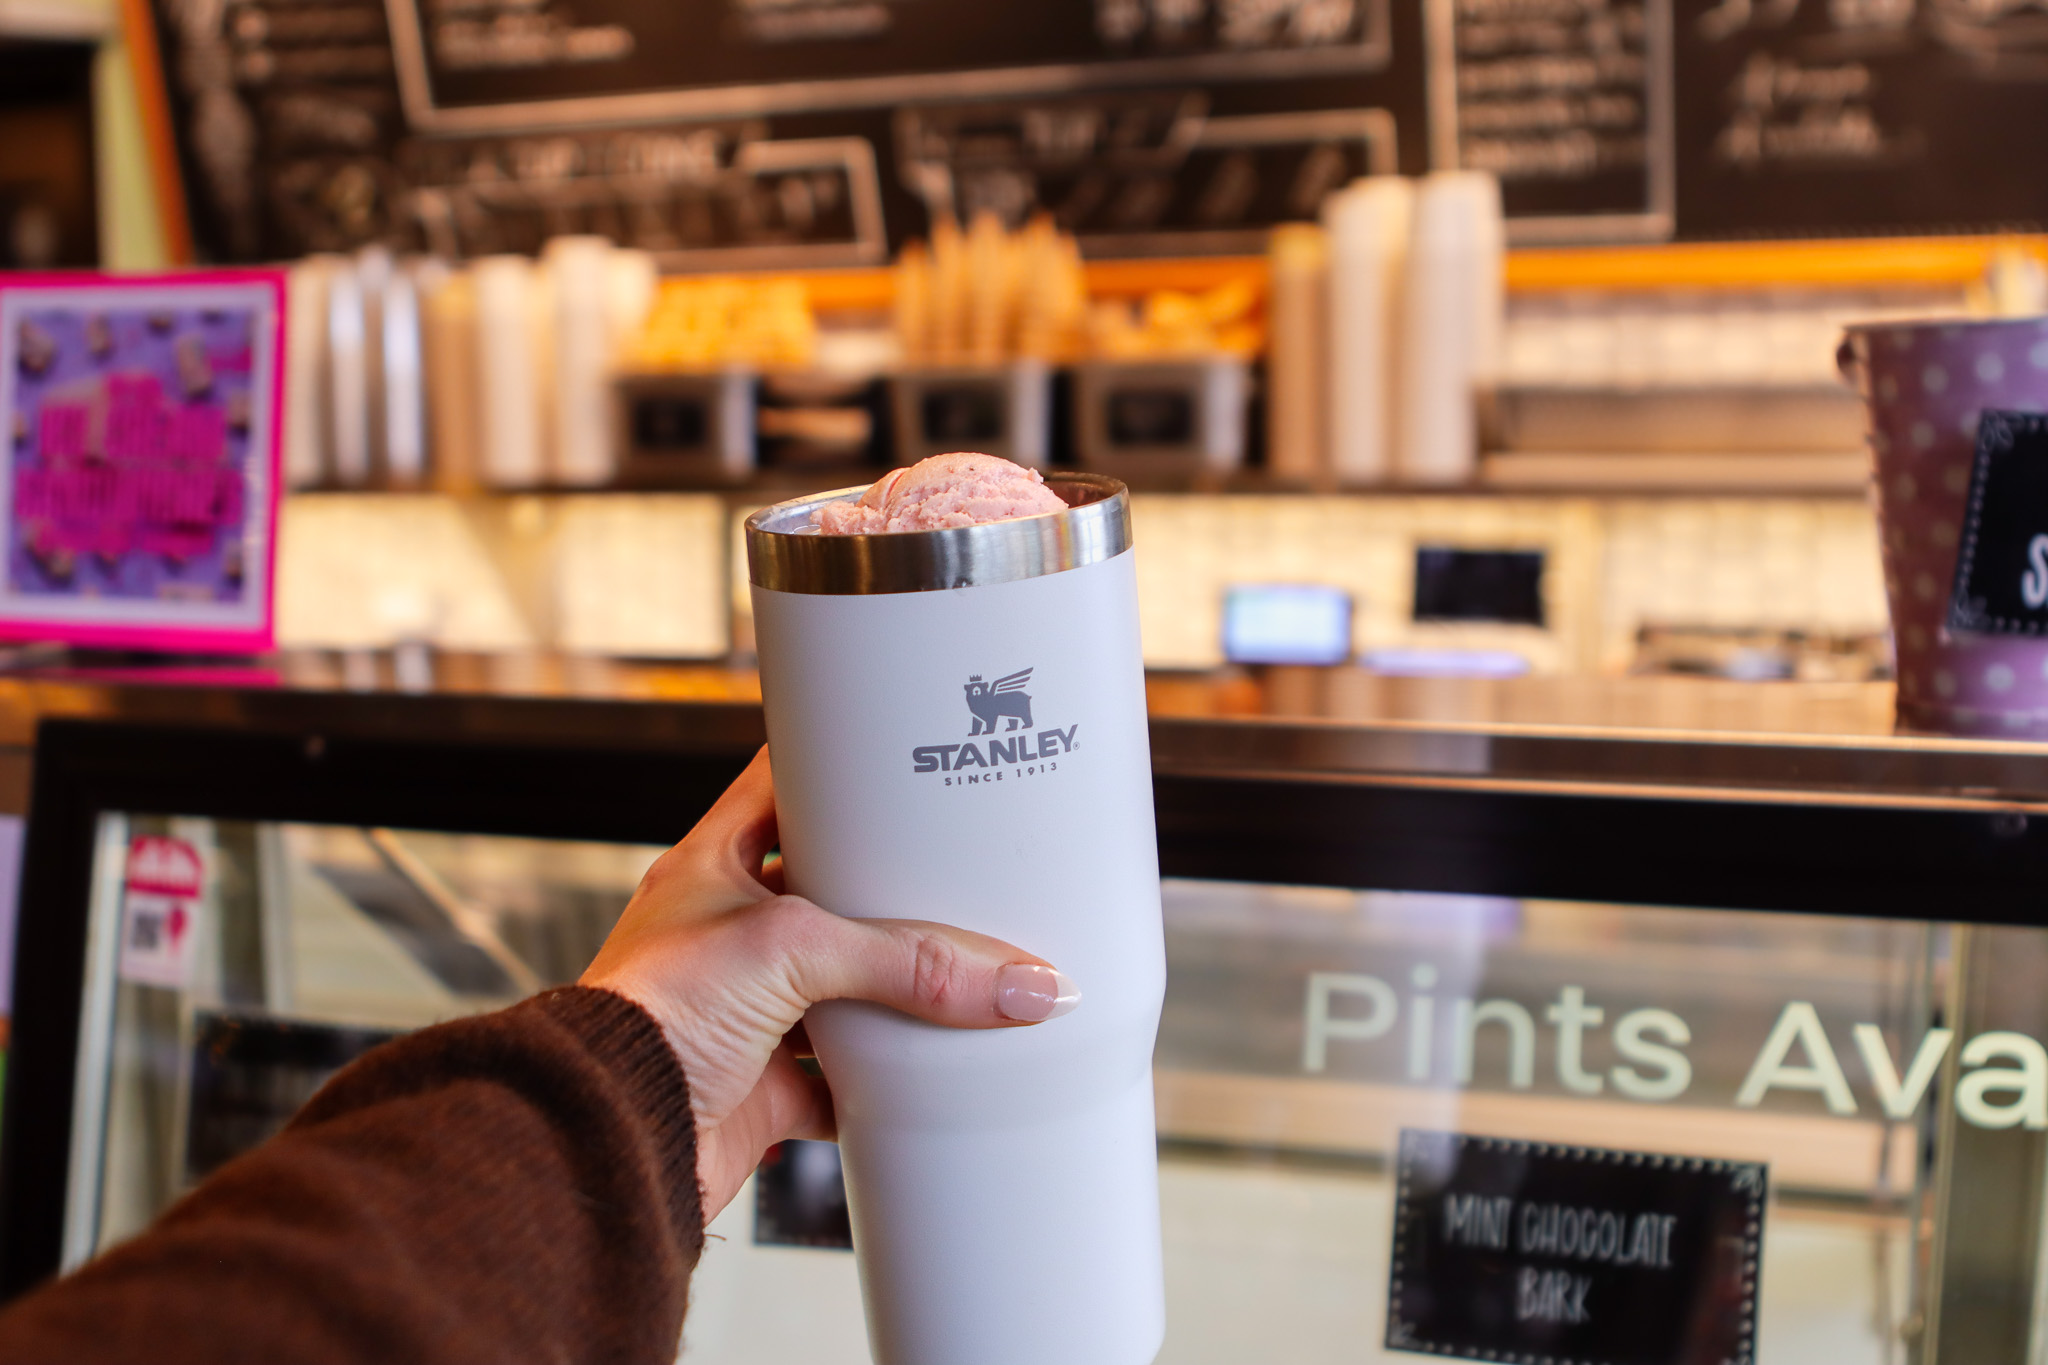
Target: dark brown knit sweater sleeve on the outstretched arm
[499,1190]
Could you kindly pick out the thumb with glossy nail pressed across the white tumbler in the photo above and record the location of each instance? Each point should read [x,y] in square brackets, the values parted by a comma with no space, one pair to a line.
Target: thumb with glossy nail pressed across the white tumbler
[937,973]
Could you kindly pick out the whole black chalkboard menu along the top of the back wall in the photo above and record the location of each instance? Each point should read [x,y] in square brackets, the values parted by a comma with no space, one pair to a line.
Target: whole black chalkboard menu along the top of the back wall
[826,132]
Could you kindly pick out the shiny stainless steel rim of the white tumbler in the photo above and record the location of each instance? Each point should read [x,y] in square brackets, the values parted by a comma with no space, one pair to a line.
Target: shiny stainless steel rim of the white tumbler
[787,556]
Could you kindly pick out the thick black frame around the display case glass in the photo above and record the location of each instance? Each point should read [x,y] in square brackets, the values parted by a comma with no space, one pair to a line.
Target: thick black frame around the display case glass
[1830,854]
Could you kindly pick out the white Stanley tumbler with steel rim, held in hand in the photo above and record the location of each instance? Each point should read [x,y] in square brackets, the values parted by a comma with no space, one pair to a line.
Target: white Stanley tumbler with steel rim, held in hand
[957,728]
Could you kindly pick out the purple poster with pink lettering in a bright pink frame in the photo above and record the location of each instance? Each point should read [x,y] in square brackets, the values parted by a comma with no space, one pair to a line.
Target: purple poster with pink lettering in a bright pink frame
[142,459]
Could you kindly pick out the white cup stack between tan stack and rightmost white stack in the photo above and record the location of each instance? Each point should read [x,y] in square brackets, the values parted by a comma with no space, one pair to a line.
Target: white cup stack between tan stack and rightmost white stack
[1369,238]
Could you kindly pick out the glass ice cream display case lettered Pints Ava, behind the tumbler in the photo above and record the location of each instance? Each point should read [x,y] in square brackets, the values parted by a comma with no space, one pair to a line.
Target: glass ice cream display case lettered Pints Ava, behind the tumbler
[1631,1022]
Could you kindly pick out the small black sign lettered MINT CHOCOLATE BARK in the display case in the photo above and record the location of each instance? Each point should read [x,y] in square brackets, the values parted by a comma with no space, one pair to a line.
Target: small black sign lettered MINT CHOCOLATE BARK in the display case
[1541,1253]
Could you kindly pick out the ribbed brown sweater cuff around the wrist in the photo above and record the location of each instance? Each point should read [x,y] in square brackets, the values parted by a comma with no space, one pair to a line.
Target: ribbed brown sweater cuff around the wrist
[630,1045]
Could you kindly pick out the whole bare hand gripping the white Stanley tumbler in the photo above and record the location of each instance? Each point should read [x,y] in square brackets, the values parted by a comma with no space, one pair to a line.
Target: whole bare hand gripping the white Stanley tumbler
[728,965]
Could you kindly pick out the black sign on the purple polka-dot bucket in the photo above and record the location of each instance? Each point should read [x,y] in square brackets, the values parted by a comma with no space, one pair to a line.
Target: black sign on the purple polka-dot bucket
[2002,566]
